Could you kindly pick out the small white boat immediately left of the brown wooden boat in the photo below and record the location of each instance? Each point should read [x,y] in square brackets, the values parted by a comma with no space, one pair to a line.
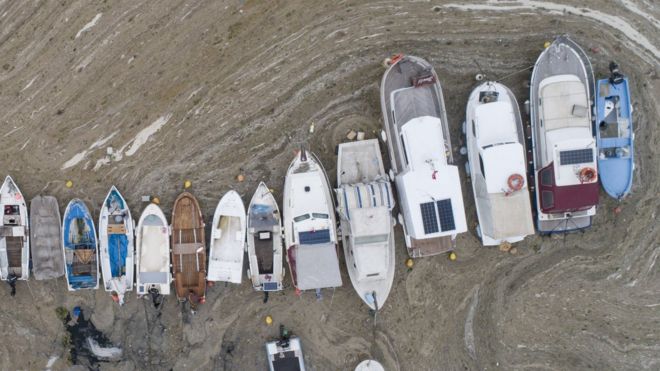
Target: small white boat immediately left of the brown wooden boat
[152,253]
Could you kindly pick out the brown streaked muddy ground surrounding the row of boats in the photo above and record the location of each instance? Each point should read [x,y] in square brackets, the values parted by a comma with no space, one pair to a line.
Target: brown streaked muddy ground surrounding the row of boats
[229,87]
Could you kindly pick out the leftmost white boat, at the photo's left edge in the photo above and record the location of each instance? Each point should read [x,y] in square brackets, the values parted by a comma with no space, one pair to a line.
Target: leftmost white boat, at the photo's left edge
[14,233]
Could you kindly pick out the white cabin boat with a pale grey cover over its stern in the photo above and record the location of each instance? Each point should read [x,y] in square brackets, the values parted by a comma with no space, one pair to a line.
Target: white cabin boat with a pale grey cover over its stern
[310,231]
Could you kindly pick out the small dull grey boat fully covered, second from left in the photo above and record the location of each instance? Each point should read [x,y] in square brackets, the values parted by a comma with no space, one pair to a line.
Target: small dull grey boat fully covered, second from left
[46,238]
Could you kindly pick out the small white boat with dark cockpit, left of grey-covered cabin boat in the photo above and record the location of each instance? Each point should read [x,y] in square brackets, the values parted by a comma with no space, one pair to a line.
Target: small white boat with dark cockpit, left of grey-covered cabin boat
[264,241]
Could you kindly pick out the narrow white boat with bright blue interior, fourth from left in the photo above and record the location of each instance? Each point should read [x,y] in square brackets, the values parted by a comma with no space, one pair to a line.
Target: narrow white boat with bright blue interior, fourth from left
[116,245]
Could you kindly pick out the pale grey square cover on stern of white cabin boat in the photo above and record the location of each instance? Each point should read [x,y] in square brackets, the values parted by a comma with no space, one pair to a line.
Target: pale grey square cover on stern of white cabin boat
[317,266]
